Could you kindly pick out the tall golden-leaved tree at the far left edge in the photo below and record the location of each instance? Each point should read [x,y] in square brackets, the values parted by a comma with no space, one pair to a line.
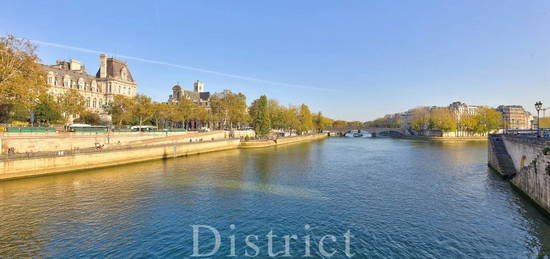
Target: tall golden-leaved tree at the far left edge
[22,80]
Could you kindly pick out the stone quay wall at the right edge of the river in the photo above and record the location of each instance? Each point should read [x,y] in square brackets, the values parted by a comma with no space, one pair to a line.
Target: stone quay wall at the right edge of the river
[523,159]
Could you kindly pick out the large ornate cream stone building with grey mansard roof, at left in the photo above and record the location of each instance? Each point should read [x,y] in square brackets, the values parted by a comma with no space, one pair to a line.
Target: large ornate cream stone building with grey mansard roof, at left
[112,78]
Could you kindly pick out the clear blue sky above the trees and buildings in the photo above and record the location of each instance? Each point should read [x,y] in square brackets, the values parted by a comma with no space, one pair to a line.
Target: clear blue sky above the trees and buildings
[353,60]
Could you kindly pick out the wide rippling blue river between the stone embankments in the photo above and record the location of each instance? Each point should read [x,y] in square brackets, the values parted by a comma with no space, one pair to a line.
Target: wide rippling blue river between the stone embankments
[397,198]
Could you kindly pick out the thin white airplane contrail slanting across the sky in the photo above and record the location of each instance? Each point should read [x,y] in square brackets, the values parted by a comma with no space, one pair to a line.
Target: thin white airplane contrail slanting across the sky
[63,46]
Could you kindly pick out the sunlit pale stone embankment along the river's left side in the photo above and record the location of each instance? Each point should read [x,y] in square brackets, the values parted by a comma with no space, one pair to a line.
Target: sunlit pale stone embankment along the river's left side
[139,151]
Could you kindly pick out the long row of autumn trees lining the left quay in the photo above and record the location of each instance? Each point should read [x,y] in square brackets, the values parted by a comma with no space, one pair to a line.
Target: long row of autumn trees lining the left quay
[25,101]
